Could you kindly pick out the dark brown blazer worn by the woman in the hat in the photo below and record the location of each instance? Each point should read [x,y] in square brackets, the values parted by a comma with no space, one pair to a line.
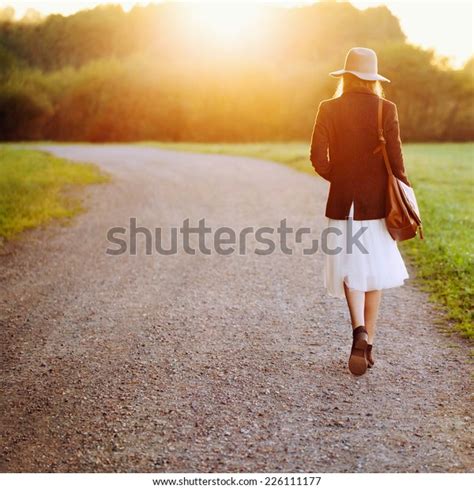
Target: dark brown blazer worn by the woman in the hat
[344,137]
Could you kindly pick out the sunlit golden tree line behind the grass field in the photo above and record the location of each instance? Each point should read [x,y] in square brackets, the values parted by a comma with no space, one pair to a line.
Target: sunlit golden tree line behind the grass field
[156,73]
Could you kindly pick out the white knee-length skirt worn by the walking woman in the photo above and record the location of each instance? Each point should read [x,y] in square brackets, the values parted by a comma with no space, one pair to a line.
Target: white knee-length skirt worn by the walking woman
[378,265]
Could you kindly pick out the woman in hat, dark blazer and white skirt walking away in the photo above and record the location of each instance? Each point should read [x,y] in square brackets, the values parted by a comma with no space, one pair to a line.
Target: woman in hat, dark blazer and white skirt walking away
[342,151]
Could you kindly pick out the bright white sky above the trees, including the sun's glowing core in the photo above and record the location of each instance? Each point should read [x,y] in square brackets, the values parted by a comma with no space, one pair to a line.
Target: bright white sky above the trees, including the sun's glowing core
[445,26]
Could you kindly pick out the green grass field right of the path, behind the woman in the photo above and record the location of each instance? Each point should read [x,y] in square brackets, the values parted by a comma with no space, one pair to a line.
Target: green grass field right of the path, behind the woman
[443,176]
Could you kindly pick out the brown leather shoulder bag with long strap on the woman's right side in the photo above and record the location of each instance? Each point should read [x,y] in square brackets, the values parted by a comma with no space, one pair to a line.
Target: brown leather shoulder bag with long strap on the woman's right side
[402,215]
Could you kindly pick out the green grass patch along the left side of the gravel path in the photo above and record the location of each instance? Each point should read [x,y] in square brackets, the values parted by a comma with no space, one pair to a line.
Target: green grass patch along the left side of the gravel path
[34,188]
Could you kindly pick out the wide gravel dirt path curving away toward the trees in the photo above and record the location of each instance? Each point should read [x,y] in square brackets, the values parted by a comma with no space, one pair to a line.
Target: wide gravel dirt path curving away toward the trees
[211,363]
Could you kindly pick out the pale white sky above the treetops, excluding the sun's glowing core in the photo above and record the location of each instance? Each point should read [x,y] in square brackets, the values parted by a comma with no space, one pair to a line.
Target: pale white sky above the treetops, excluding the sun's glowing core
[446,26]
